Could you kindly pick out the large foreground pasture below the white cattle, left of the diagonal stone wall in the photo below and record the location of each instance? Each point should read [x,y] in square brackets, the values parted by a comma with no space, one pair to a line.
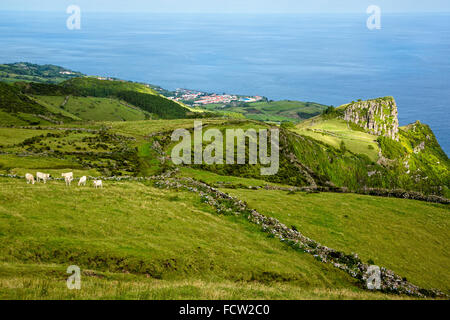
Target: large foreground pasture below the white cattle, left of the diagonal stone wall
[134,228]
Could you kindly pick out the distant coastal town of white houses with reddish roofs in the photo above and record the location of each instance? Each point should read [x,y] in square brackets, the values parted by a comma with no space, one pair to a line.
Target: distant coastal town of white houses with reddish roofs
[198,98]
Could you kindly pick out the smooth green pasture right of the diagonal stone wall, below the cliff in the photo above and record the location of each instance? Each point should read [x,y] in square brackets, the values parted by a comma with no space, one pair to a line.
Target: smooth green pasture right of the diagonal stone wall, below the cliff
[409,237]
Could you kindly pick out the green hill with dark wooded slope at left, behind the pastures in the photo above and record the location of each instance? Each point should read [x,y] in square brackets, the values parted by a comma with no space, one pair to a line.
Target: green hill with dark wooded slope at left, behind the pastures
[84,99]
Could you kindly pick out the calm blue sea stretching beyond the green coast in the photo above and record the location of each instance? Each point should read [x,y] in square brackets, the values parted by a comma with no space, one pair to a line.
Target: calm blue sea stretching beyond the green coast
[331,59]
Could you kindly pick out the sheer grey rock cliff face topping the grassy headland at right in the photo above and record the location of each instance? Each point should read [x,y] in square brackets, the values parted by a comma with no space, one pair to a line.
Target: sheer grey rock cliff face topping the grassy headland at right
[377,116]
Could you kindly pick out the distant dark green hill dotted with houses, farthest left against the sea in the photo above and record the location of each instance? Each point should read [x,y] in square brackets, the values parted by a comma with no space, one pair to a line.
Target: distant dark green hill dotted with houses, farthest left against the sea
[24,71]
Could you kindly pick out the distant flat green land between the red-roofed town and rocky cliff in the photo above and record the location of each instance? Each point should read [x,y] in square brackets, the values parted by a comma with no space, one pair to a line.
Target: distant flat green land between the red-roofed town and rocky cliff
[272,111]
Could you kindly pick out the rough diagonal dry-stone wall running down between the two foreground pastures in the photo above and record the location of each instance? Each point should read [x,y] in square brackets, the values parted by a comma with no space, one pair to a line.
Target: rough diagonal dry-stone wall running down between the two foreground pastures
[390,282]
